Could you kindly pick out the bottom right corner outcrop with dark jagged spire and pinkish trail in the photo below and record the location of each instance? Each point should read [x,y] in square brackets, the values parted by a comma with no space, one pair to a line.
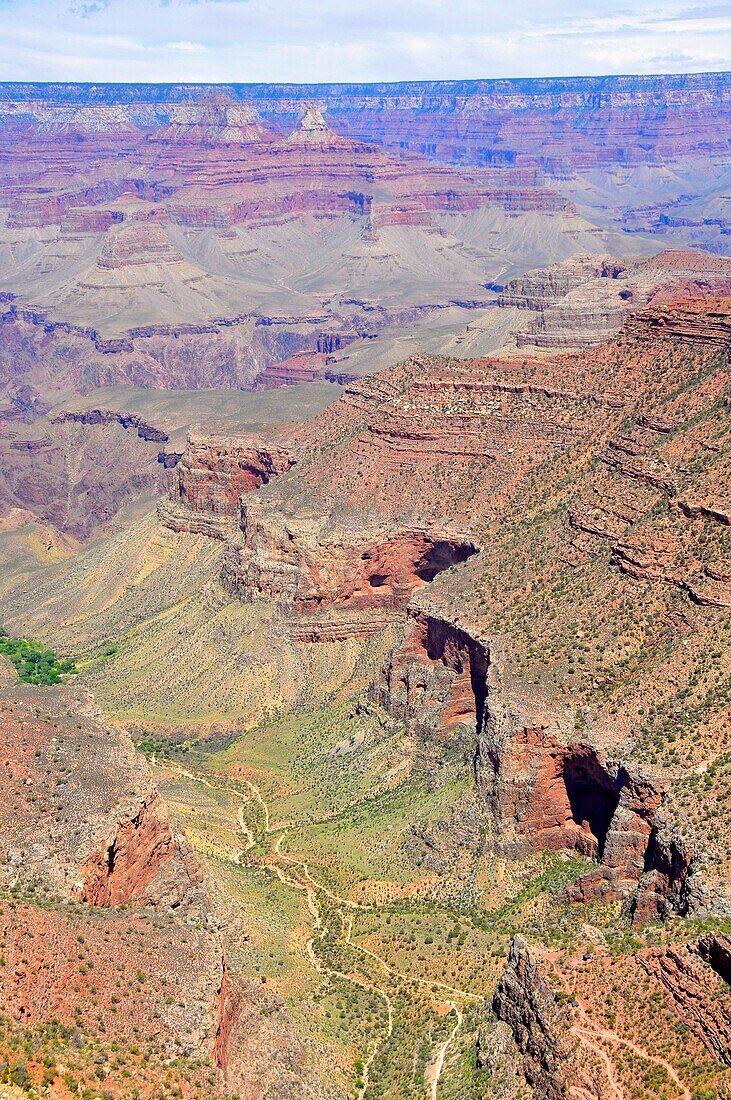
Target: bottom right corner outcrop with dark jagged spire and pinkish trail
[569,1042]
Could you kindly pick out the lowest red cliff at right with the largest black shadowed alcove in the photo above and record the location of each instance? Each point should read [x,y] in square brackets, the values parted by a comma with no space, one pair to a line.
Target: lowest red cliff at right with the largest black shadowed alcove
[547,788]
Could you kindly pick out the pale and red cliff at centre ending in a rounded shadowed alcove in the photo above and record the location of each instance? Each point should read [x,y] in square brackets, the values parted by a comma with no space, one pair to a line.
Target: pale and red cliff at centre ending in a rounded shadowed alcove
[303,564]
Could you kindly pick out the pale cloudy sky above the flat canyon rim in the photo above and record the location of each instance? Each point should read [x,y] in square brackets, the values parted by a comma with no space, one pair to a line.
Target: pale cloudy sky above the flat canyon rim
[314,41]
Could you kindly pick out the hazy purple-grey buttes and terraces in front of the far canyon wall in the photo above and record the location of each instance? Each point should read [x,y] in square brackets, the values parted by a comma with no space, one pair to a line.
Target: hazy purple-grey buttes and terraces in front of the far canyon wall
[202,276]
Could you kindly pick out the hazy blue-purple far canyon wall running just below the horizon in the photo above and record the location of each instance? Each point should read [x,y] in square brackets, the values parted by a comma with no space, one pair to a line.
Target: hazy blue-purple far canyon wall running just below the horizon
[594,122]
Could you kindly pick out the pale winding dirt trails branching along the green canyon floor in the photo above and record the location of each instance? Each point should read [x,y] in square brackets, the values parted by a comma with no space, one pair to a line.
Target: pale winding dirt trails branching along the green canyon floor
[312,887]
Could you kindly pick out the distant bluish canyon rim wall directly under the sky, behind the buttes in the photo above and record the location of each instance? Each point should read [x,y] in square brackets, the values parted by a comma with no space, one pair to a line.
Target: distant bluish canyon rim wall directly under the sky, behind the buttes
[595,120]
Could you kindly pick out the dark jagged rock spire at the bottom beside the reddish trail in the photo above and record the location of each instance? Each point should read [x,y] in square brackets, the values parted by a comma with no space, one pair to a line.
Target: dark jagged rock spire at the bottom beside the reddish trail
[539,1024]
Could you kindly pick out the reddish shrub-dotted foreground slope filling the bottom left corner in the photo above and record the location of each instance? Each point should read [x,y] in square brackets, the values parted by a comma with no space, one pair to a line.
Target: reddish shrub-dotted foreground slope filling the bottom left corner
[101,893]
